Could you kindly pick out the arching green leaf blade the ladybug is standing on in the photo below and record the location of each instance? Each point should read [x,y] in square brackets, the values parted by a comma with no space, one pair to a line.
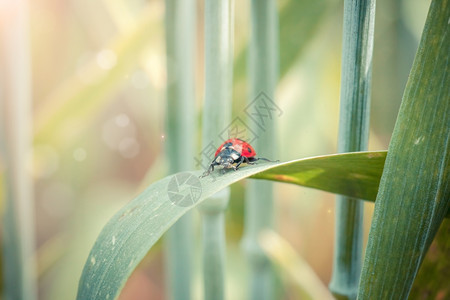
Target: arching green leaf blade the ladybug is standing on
[131,233]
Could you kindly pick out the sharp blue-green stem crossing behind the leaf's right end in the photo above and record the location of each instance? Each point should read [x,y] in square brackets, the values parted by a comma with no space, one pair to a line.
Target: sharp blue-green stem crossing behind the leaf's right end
[359,16]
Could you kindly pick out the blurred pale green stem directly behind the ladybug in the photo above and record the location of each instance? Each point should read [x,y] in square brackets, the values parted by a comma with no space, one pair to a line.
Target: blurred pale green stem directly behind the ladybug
[216,117]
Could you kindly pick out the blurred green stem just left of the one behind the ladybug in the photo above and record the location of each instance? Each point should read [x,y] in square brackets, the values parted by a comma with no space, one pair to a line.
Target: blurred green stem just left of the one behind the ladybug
[179,136]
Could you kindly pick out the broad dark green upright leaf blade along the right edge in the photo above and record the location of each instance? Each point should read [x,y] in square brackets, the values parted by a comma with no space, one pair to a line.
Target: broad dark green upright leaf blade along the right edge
[414,193]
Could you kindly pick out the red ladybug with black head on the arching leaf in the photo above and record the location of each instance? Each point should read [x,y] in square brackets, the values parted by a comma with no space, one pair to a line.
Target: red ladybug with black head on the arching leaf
[233,151]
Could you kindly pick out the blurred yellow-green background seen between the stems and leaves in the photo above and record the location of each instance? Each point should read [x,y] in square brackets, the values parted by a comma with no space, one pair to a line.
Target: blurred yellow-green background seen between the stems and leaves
[98,87]
